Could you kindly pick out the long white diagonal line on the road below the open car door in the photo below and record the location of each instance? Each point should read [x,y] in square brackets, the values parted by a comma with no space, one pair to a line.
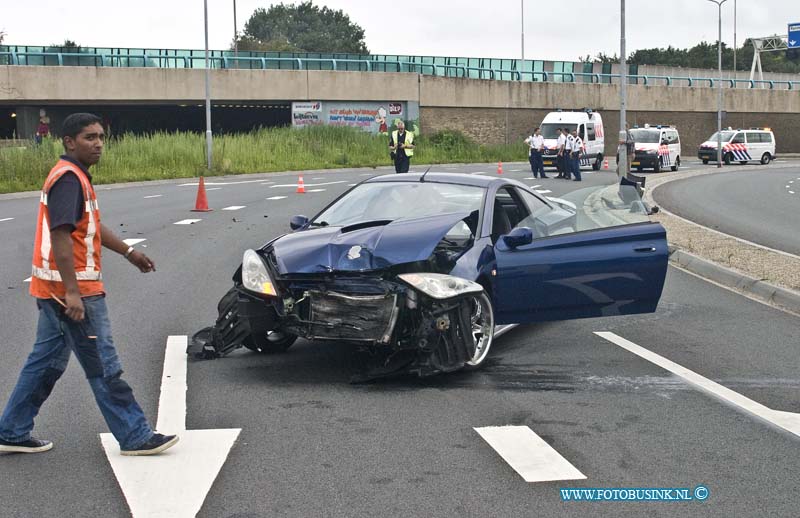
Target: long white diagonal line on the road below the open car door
[789,421]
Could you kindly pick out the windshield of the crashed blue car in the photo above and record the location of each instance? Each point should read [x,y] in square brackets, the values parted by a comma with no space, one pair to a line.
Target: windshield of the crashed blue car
[396,200]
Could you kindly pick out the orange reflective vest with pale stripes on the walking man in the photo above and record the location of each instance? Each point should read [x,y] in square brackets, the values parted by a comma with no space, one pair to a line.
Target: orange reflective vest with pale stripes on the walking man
[45,277]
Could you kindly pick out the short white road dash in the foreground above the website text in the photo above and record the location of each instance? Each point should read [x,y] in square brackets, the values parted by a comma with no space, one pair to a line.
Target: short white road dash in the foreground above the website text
[529,454]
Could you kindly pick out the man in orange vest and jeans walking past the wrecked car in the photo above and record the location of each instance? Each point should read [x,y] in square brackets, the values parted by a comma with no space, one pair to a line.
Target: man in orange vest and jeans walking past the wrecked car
[68,286]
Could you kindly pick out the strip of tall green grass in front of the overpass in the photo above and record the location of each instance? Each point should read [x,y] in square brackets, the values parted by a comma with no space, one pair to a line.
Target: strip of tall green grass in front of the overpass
[180,155]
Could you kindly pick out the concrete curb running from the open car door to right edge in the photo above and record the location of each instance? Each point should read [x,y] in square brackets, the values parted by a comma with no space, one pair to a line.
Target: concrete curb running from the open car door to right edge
[783,298]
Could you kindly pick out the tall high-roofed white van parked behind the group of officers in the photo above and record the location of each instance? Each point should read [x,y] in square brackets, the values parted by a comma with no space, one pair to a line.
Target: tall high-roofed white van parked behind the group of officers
[589,125]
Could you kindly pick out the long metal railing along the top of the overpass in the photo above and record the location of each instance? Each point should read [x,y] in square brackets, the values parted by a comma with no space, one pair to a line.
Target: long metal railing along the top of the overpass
[366,63]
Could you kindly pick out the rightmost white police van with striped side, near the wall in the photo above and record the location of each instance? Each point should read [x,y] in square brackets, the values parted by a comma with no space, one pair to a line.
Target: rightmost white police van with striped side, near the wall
[740,146]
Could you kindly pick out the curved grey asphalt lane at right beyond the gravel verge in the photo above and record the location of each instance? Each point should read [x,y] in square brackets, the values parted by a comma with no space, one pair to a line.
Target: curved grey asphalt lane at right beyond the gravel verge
[762,206]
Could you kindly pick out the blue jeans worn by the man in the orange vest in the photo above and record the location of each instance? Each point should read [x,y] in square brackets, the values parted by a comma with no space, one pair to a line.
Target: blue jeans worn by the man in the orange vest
[56,337]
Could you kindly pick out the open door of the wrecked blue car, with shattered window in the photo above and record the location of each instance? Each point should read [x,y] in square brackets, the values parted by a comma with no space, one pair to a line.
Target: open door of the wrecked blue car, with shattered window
[610,260]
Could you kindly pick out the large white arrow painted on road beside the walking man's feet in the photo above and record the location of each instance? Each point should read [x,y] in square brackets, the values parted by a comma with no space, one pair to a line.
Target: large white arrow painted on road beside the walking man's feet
[175,483]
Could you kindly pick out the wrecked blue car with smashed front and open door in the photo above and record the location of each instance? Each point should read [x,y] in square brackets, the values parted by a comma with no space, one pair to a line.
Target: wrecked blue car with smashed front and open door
[423,270]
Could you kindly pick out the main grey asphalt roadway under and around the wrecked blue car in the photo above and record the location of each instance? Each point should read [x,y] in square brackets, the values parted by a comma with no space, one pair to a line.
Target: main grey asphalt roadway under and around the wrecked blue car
[313,445]
